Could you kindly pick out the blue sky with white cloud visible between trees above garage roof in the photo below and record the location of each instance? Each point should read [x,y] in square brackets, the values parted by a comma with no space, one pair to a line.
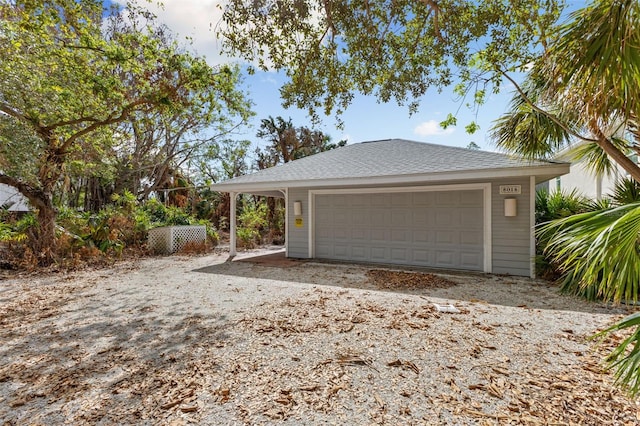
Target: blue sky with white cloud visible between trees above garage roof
[364,120]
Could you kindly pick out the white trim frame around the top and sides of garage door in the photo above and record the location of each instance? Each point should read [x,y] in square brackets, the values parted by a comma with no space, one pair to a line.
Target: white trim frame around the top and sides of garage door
[485,187]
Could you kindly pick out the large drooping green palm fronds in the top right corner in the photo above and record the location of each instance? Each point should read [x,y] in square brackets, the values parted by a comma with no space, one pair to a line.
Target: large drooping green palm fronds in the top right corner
[598,48]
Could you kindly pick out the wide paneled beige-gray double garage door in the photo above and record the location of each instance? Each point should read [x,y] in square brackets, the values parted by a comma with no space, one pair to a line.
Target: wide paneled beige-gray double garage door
[442,229]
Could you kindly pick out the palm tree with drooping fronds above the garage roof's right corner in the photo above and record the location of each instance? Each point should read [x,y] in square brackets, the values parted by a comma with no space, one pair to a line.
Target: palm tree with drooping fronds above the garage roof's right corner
[583,88]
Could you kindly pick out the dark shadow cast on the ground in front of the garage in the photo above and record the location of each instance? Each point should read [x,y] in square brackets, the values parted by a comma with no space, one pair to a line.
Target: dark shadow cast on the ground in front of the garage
[473,287]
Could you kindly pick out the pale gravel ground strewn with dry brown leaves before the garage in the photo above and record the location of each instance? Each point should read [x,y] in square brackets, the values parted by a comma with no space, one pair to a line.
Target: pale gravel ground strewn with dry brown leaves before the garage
[200,340]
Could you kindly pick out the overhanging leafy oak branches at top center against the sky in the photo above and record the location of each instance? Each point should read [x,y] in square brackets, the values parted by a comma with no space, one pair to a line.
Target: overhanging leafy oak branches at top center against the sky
[393,49]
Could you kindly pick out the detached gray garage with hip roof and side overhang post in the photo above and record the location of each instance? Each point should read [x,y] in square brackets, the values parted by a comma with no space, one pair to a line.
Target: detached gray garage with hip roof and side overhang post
[407,203]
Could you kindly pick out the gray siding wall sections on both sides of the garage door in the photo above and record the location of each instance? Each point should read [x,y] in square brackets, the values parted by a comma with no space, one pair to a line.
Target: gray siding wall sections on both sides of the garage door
[510,235]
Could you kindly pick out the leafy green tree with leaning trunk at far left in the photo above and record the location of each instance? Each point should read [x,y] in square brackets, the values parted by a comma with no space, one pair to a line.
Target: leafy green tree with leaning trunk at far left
[69,69]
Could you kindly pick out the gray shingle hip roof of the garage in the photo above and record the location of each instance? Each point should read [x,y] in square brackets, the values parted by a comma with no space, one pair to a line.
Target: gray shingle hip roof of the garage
[384,159]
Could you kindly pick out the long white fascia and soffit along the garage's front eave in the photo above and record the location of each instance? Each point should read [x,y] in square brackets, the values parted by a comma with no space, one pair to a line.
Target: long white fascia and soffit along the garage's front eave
[275,188]
